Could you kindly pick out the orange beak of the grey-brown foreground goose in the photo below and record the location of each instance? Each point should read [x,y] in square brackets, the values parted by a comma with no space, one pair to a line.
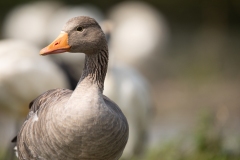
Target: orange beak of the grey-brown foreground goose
[59,45]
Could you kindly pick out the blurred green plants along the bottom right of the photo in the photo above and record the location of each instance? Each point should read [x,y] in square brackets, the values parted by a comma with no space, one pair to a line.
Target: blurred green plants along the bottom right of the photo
[206,144]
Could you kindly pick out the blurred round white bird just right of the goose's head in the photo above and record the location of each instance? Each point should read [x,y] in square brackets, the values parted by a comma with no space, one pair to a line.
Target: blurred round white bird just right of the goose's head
[145,29]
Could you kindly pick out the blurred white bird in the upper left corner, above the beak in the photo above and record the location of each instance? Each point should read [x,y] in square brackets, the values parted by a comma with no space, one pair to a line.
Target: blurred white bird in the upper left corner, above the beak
[29,21]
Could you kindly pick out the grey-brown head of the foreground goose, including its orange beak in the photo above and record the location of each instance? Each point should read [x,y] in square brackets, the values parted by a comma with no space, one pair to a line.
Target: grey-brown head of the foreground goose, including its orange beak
[80,34]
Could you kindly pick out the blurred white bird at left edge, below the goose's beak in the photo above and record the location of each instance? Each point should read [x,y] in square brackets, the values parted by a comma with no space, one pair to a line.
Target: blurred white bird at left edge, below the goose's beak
[23,76]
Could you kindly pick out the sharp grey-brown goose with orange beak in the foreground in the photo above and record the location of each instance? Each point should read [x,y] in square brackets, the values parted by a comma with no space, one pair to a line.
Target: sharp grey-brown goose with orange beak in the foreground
[80,124]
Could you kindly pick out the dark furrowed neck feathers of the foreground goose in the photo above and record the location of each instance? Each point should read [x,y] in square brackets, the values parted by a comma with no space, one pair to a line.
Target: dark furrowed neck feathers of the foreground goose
[95,67]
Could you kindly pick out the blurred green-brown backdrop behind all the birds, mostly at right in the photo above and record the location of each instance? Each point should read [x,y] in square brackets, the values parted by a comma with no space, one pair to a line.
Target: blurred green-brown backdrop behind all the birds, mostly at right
[195,80]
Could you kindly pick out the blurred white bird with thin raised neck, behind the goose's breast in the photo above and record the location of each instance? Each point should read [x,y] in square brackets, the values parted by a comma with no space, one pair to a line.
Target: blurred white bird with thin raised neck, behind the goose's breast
[130,90]
